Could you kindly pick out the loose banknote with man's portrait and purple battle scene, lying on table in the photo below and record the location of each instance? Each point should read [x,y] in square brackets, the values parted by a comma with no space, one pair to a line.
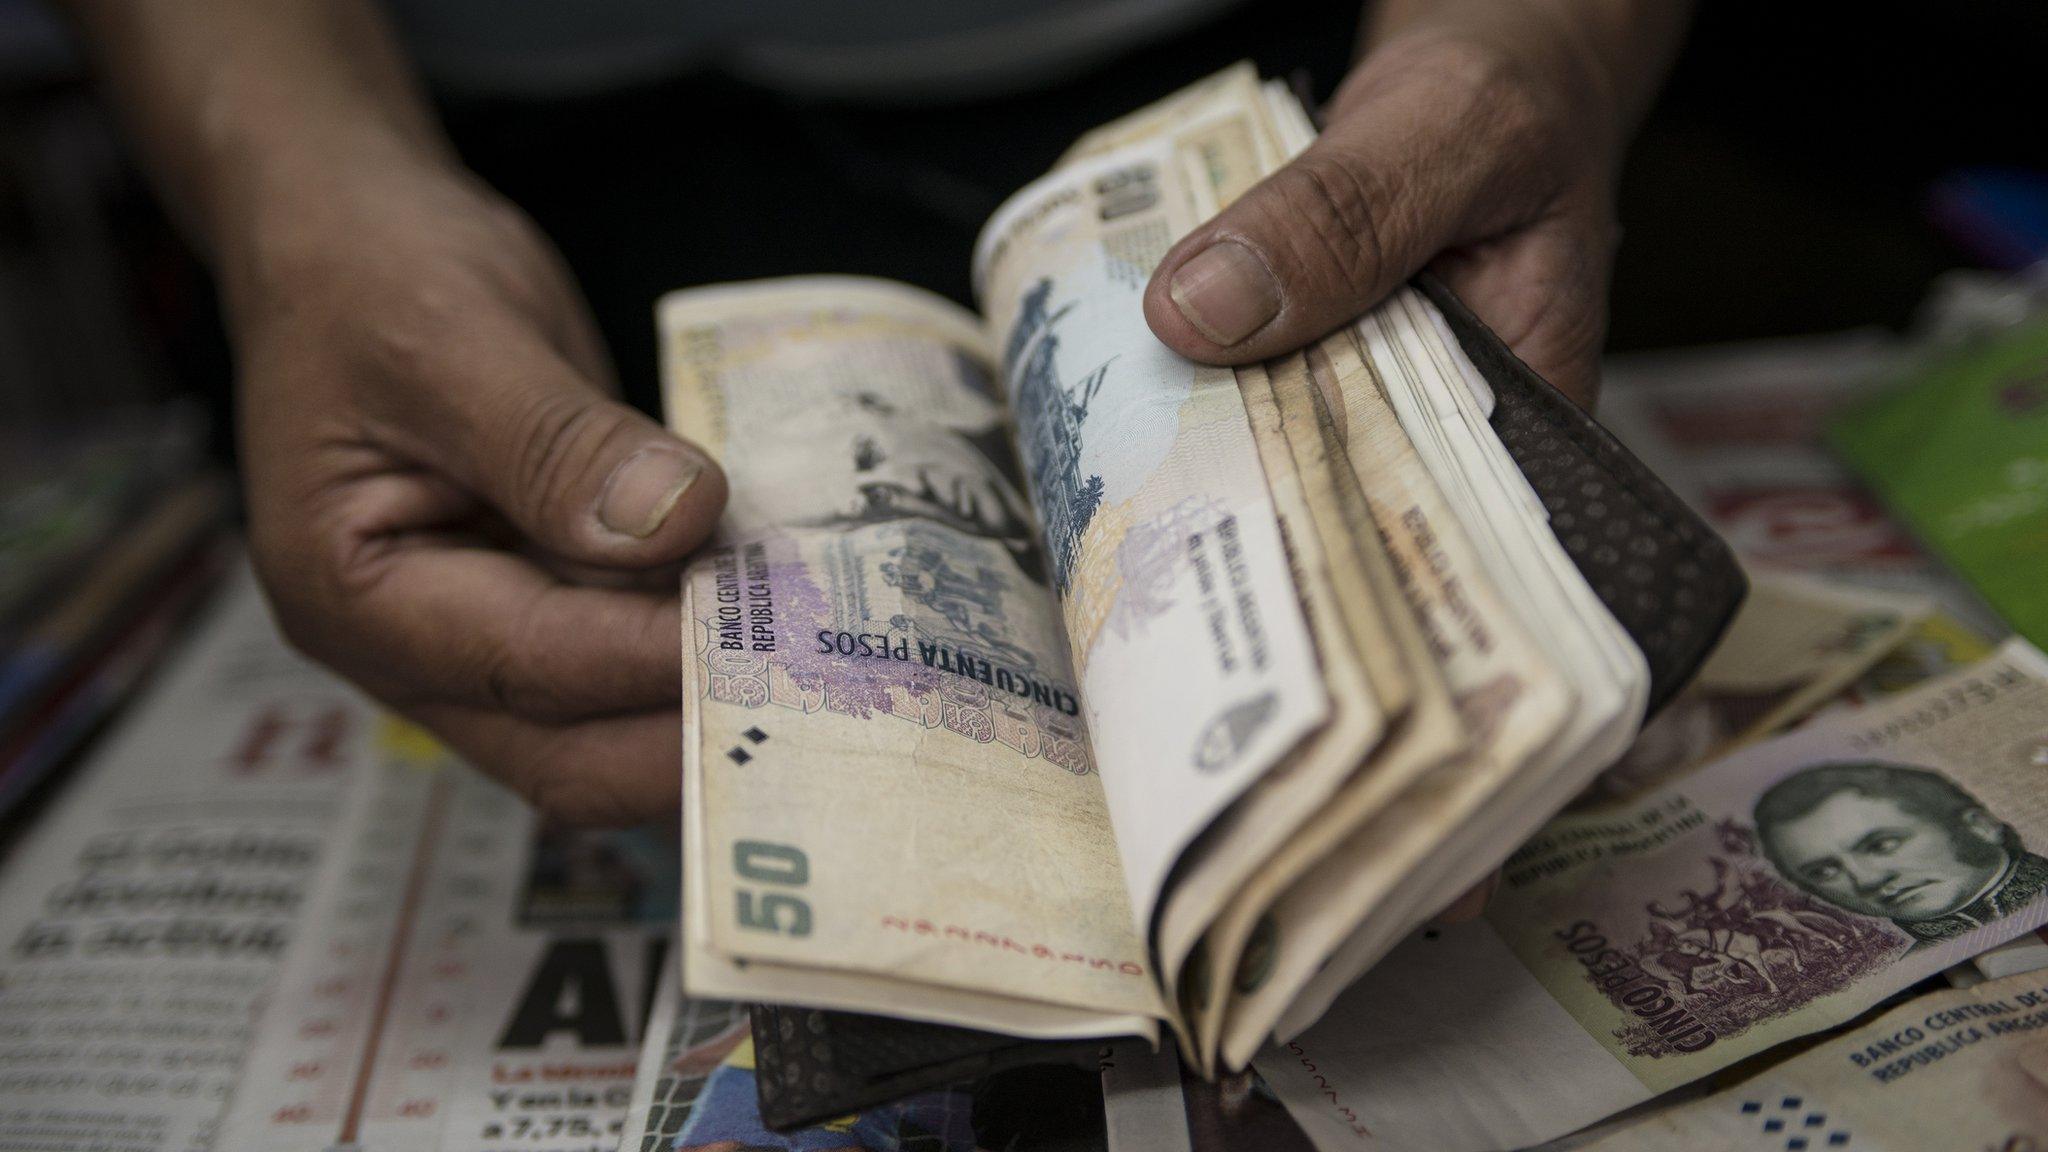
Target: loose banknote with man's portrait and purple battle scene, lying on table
[1770,895]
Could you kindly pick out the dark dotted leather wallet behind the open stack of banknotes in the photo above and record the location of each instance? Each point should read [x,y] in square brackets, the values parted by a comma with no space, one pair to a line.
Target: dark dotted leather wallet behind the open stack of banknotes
[1652,561]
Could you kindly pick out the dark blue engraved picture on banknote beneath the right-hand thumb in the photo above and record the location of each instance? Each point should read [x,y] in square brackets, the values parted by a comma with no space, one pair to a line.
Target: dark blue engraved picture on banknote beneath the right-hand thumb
[1050,429]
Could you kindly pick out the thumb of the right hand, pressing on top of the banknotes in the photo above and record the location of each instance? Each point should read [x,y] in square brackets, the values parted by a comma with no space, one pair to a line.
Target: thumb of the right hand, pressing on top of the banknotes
[1410,167]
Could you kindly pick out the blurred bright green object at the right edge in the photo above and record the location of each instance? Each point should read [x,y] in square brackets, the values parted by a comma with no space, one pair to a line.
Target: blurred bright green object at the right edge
[1961,454]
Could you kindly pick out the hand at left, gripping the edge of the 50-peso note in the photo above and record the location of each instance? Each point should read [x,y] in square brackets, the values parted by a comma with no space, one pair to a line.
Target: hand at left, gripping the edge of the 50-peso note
[445,499]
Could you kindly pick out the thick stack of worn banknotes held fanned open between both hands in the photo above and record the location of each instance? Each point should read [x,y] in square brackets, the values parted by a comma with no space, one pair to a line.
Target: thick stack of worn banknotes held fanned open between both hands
[1048,684]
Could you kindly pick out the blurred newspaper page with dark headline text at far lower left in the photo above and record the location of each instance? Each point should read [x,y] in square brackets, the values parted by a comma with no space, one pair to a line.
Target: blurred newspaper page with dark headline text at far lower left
[151,907]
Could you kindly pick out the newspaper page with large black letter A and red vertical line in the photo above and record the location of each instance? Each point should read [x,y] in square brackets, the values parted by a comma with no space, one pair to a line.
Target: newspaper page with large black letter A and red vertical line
[468,979]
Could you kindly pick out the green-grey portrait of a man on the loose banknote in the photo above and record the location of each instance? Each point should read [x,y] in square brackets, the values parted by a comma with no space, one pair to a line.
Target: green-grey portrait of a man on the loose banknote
[1902,844]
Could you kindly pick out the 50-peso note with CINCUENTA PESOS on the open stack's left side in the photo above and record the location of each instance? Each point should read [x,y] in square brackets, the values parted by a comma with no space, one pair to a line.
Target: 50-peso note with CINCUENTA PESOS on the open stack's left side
[888,780]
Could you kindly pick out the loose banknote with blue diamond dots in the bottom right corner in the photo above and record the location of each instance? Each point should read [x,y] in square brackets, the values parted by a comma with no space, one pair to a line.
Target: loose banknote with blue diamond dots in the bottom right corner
[1965,1069]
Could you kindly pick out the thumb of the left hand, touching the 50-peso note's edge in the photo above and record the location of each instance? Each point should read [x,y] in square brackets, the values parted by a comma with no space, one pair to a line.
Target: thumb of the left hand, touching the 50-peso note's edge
[581,475]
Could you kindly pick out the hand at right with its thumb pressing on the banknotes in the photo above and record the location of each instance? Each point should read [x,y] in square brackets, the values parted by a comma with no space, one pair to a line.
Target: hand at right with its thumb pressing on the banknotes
[1480,140]
